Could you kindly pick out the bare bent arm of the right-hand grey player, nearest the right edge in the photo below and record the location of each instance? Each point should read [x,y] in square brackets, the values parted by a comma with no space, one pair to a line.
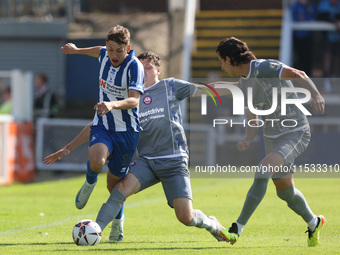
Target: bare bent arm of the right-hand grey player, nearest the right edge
[318,102]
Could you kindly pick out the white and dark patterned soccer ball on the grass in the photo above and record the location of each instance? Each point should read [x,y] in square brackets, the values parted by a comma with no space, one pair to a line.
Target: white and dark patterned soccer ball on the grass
[86,233]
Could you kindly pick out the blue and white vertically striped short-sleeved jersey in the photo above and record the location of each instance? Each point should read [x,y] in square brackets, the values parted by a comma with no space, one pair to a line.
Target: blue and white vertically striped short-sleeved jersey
[114,85]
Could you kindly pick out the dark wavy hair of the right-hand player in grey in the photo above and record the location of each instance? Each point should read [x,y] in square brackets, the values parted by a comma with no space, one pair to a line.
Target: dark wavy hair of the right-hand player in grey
[236,50]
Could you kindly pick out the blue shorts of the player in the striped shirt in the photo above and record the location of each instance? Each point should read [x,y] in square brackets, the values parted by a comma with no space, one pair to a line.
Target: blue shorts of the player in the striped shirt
[121,145]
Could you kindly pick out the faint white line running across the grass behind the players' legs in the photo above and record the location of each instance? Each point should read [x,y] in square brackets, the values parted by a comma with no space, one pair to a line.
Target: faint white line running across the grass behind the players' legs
[136,204]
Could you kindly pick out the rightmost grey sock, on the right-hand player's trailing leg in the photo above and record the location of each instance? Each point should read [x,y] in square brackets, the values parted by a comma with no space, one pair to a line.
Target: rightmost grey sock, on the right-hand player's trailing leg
[297,202]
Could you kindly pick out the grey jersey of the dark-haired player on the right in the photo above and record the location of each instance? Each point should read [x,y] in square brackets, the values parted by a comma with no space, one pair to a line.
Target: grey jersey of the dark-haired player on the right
[262,77]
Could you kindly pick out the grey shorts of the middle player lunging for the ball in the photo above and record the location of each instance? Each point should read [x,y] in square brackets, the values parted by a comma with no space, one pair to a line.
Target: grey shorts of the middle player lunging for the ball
[173,173]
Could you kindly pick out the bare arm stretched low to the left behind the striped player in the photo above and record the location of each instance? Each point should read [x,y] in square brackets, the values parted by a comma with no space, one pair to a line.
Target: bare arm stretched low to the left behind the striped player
[81,138]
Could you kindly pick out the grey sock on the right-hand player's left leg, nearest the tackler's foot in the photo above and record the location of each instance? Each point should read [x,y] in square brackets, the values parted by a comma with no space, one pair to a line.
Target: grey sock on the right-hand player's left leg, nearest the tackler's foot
[254,198]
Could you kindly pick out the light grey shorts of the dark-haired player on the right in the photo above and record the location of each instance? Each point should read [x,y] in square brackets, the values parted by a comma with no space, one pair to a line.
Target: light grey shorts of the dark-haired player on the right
[290,146]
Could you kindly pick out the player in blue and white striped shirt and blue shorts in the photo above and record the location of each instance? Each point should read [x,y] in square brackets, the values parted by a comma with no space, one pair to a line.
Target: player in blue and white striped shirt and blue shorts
[115,127]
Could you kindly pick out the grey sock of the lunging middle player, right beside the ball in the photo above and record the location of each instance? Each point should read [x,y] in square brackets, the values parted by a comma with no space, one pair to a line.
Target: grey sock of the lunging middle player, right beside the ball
[110,209]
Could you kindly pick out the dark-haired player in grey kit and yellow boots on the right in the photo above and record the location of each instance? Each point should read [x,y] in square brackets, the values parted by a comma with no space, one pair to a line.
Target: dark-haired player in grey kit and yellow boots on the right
[283,143]
